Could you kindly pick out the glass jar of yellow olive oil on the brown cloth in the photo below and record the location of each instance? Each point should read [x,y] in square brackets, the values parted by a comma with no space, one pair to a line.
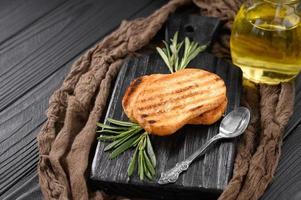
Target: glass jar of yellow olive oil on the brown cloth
[266,41]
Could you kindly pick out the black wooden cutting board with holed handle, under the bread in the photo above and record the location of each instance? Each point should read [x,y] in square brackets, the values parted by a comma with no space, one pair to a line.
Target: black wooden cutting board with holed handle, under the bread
[208,176]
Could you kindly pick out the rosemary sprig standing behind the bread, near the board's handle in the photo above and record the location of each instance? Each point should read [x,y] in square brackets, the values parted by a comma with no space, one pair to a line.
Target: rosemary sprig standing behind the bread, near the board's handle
[170,53]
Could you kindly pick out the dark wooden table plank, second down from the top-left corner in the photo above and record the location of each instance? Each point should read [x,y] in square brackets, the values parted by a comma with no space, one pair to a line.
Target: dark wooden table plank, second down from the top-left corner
[61,35]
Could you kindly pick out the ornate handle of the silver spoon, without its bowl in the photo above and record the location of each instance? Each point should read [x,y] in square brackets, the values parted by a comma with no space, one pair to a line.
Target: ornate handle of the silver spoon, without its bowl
[172,174]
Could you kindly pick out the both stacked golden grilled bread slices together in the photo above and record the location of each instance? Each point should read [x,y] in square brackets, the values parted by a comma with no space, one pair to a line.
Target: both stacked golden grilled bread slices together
[190,84]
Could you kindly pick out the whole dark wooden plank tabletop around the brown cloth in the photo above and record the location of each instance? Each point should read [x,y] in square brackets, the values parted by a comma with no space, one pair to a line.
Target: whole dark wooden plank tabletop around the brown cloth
[39,40]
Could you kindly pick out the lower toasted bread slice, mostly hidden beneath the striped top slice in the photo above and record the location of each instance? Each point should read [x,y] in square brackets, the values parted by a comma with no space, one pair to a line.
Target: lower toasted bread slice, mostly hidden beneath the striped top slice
[137,85]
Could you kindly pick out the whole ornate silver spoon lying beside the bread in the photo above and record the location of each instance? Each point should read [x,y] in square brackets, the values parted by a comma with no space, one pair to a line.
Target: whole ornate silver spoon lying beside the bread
[233,125]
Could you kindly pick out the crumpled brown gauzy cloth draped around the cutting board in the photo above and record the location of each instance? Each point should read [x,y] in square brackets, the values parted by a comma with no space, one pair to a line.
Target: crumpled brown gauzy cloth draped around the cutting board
[66,139]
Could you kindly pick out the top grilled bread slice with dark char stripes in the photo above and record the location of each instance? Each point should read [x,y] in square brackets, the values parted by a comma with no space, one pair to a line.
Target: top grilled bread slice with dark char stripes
[170,101]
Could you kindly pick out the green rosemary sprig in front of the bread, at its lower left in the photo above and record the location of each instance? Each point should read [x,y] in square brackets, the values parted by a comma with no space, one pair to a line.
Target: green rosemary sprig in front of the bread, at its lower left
[125,135]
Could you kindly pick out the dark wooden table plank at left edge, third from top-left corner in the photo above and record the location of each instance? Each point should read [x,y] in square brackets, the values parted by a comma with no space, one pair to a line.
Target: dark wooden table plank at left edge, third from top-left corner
[19,126]
